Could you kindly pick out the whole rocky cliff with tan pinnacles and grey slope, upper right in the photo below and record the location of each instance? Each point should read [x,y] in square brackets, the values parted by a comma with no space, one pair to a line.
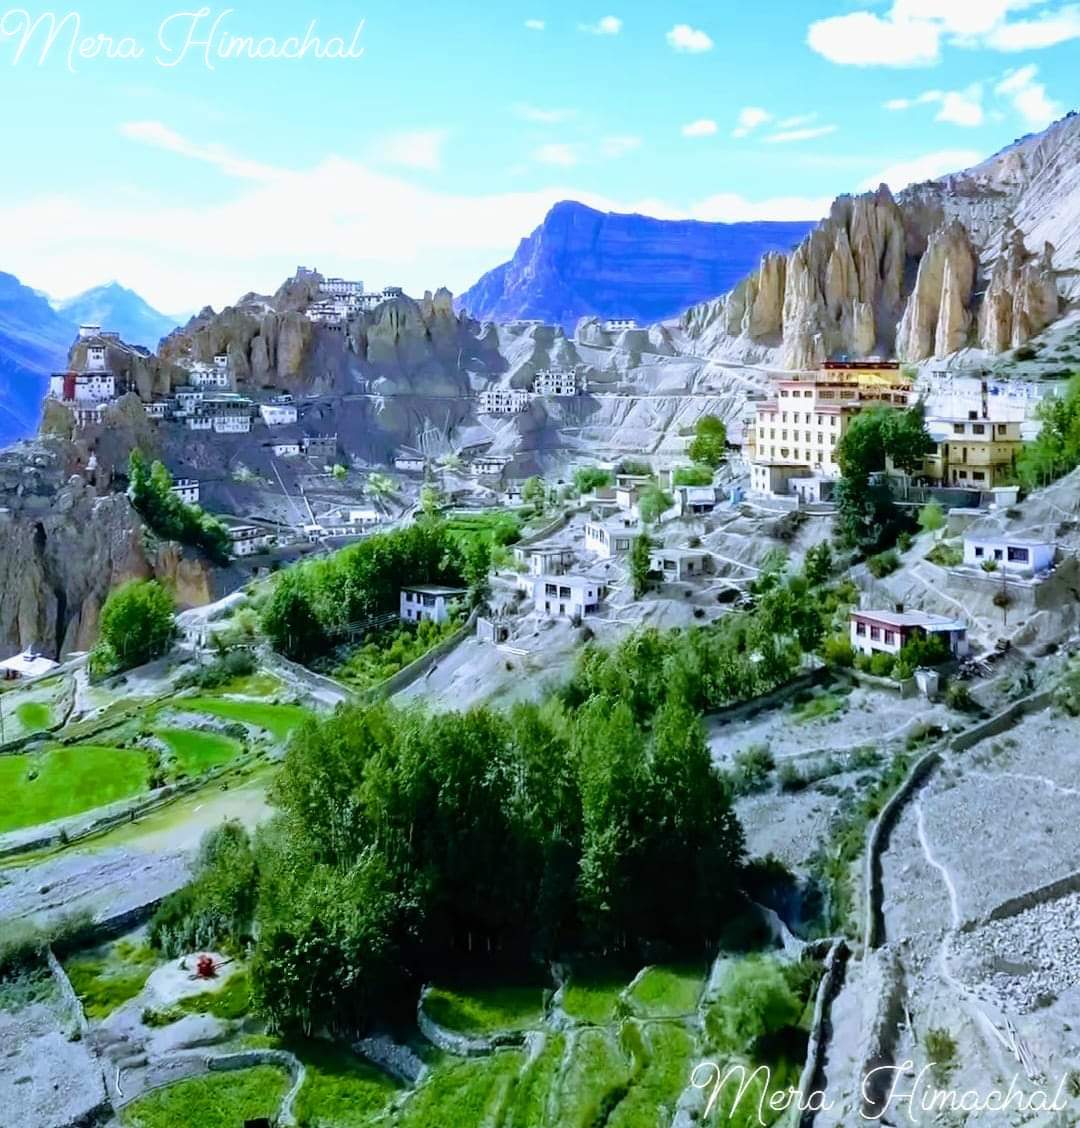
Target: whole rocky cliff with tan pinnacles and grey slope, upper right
[986,258]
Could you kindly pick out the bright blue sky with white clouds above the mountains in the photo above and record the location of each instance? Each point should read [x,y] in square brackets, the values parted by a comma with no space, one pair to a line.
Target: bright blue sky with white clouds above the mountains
[198,154]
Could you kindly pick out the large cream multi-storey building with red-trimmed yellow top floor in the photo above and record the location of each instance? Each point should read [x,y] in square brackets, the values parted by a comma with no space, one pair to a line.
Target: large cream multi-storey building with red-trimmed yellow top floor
[797,434]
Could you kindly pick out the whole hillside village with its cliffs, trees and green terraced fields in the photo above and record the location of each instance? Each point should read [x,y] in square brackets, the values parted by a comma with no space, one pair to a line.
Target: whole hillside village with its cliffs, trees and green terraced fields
[416,721]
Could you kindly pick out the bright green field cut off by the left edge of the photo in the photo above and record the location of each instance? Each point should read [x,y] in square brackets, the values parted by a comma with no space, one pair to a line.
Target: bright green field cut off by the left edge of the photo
[66,781]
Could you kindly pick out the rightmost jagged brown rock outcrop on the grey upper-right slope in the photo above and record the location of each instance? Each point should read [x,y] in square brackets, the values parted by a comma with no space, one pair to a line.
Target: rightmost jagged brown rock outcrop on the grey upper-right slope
[1022,298]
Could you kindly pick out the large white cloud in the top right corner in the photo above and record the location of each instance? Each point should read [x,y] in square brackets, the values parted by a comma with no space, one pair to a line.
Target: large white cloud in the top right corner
[911,33]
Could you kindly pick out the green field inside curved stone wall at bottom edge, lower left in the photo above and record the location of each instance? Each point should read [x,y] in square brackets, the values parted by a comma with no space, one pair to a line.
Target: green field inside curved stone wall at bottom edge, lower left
[218,1100]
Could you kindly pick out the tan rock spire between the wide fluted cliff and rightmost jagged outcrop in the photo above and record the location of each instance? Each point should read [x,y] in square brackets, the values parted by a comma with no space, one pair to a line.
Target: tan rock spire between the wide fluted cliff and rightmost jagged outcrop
[937,319]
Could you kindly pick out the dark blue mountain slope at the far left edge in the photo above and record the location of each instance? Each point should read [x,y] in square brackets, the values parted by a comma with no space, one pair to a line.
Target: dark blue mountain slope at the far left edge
[34,341]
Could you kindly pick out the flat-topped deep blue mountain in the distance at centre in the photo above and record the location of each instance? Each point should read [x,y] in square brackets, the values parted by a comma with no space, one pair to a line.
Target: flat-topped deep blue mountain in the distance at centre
[585,263]
